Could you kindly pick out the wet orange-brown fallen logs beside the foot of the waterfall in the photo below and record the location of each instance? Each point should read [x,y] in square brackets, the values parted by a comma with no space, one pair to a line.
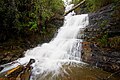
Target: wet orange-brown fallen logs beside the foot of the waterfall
[20,72]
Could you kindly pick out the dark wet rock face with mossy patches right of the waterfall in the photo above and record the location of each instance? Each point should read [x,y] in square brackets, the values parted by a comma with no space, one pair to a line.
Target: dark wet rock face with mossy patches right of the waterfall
[102,38]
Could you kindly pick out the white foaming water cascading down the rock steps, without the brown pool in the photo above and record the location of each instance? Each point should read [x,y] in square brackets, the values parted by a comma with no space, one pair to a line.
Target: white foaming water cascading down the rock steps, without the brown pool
[64,49]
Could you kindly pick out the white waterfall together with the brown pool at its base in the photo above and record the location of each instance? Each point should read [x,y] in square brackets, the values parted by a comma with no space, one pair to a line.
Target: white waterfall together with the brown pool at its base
[60,59]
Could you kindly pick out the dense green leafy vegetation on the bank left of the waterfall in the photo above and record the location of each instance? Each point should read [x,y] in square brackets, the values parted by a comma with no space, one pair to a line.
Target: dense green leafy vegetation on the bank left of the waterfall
[20,17]
